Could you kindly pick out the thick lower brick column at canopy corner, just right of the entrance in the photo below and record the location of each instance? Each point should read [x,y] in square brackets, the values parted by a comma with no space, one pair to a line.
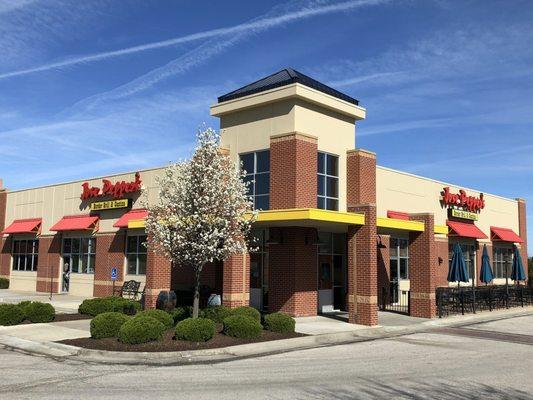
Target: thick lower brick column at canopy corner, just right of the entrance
[363,269]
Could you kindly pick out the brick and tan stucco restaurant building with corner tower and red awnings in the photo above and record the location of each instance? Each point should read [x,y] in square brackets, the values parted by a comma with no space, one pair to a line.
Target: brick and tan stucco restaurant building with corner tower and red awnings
[335,231]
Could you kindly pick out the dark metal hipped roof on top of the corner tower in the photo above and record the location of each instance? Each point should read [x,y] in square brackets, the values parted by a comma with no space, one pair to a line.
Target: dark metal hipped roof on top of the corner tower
[284,77]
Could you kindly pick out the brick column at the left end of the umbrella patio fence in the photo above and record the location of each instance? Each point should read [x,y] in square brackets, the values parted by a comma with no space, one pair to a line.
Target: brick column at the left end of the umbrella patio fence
[423,263]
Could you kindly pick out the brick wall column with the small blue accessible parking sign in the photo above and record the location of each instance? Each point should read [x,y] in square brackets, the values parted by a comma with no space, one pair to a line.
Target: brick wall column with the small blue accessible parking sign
[109,254]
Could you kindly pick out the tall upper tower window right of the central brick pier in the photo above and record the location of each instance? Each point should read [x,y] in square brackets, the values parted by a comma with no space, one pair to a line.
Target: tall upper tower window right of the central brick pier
[328,181]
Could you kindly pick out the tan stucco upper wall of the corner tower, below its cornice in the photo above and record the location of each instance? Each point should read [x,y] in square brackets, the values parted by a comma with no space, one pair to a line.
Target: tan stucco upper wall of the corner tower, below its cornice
[250,129]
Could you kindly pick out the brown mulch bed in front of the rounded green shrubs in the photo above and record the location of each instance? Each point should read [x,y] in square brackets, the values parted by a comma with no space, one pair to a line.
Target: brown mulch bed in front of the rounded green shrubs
[168,343]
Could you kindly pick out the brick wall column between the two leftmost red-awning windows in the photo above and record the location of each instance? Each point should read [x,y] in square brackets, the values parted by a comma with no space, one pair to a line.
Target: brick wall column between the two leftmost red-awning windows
[49,265]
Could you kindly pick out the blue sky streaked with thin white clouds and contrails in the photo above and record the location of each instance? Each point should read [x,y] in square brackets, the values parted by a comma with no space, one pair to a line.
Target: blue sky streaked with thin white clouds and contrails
[96,87]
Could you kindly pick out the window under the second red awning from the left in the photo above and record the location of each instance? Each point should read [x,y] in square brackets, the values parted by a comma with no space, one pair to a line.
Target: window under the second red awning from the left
[79,254]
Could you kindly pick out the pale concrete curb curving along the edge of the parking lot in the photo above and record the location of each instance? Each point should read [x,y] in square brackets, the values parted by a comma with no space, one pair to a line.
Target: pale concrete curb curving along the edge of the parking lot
[64,352]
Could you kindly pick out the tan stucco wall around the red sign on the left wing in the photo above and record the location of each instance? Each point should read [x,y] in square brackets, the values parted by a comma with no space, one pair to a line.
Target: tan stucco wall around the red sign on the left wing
[53,202]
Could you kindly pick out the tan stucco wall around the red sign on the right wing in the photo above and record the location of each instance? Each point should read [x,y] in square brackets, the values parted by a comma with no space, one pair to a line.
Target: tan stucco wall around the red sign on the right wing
[400,191]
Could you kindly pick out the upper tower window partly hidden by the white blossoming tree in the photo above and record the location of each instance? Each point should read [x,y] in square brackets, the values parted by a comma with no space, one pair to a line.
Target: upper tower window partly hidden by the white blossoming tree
[257,167]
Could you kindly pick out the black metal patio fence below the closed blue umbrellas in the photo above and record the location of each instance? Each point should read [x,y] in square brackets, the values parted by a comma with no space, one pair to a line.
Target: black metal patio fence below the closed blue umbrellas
[466,299]
